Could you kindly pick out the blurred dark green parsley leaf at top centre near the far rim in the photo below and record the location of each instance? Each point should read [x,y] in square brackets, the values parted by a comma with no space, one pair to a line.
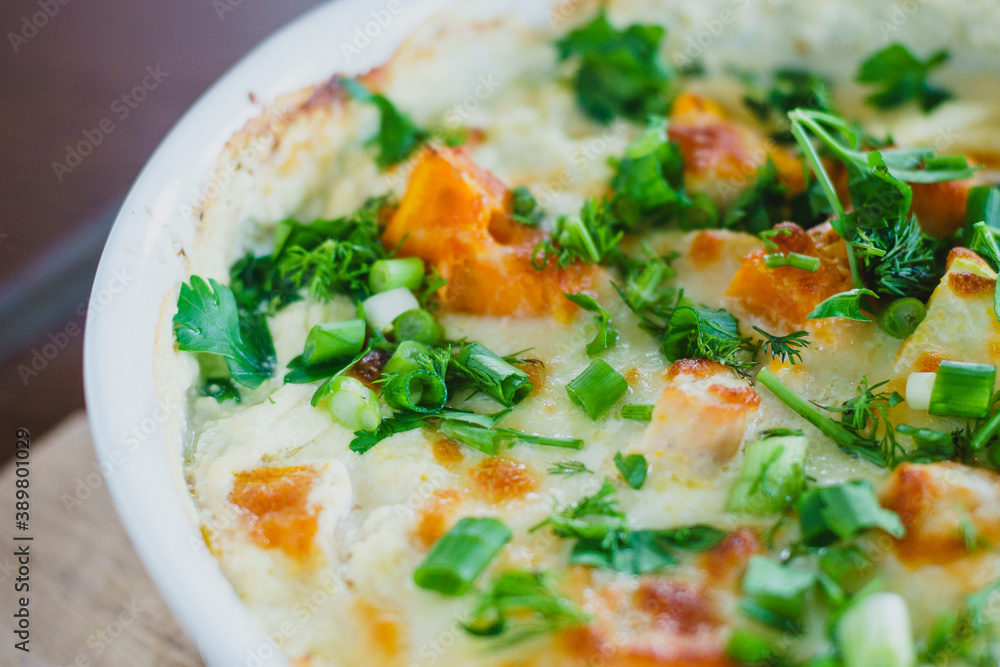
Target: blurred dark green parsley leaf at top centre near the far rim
[619,73]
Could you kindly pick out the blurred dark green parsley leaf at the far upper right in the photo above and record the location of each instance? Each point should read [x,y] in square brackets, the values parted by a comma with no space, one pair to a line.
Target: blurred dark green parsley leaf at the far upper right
[902,77]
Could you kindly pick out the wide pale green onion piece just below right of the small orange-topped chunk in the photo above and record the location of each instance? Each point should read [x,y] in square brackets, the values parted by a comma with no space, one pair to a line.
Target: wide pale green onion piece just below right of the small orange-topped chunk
[772,477]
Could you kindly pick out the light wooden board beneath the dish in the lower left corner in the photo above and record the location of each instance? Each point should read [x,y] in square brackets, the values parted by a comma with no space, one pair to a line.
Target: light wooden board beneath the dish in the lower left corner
[92,602]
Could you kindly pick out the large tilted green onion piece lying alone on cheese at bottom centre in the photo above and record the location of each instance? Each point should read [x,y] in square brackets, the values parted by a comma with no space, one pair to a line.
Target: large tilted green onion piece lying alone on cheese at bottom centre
[455,560]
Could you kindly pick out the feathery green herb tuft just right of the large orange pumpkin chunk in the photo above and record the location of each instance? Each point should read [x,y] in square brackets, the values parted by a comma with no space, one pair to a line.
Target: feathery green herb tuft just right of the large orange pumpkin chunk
[590,238]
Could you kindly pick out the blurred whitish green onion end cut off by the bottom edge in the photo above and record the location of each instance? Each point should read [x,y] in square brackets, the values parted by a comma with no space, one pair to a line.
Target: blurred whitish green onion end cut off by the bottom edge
[875,632]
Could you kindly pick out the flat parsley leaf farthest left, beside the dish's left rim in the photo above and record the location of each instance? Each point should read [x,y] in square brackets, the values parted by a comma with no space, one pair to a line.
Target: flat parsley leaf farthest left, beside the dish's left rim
[208,320]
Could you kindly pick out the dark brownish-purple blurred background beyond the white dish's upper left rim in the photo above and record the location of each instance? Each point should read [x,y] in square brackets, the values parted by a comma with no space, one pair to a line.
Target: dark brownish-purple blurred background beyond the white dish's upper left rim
[66,66]
